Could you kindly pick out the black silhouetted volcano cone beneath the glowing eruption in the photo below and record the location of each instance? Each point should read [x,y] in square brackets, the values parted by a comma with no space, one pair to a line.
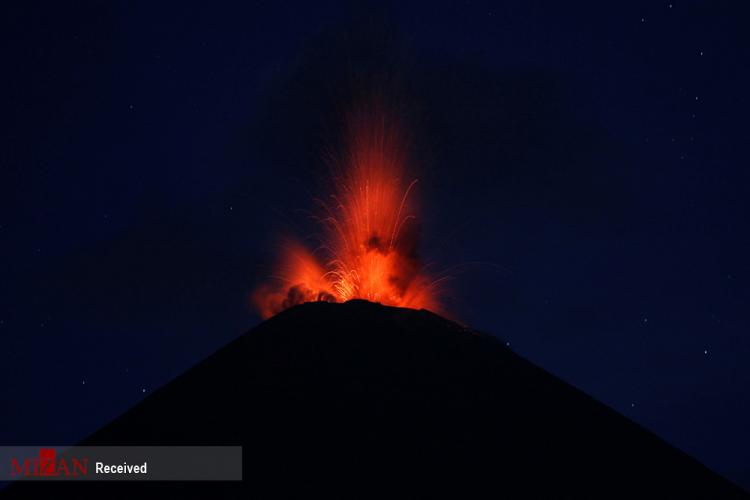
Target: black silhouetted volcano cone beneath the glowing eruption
[359,399]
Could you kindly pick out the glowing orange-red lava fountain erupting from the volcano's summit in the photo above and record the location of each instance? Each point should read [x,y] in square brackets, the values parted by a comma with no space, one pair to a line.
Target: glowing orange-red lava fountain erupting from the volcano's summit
[369,247]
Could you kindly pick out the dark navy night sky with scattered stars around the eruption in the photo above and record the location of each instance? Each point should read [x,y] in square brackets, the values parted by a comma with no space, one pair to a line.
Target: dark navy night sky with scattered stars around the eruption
[583,174]
